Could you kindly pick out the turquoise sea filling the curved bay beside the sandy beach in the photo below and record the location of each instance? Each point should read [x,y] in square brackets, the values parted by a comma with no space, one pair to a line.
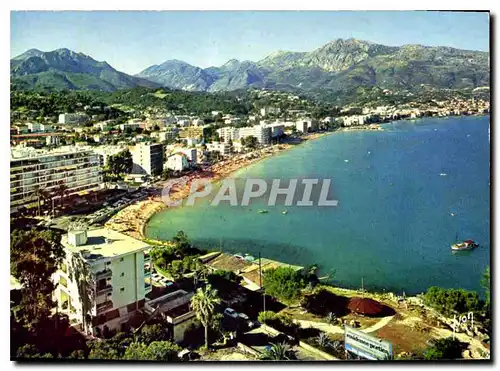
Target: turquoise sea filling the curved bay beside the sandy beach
[393,225]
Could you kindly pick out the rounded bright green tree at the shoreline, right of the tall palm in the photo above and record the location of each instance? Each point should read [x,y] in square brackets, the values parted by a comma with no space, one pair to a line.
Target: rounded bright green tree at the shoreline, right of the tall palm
[283,283]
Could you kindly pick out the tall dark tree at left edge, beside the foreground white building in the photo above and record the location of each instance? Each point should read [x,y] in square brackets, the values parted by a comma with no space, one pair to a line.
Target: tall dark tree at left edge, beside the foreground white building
[35,256]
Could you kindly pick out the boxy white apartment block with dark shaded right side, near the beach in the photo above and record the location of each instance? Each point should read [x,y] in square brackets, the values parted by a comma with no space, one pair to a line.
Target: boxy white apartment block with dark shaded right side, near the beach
[147,158]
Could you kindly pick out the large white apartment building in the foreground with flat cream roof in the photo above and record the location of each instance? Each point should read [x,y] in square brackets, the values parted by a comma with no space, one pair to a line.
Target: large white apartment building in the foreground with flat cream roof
[103,280]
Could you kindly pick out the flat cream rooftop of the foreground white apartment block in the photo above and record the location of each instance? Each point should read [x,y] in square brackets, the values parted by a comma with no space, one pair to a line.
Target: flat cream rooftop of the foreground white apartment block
[105,243]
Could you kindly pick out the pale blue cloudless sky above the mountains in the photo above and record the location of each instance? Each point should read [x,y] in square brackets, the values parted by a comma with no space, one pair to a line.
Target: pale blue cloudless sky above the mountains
[132,41]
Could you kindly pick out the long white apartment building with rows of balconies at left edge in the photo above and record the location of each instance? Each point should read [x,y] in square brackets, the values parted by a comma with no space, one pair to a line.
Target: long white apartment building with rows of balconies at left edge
[77,168]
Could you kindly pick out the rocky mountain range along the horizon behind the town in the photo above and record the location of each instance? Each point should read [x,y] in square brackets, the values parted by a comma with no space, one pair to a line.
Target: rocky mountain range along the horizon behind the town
[339,67]
